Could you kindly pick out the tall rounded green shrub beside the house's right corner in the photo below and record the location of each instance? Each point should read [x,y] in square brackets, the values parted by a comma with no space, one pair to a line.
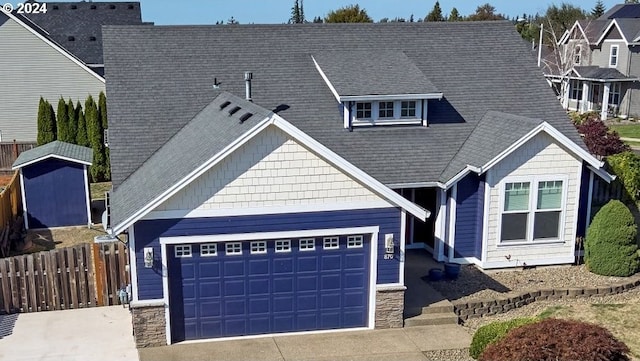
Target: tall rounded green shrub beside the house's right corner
[610,247]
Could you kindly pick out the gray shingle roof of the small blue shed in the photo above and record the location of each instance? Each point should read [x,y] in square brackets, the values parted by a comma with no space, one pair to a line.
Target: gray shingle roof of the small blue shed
[56,148]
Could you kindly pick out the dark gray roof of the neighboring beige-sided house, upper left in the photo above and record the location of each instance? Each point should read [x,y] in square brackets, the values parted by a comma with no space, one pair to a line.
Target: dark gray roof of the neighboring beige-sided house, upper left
[77,26]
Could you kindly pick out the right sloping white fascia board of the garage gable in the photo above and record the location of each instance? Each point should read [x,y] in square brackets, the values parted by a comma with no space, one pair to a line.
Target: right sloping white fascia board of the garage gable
[340,163]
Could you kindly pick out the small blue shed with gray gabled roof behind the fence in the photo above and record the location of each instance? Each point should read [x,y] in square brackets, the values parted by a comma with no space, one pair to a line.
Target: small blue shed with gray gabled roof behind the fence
[55,185]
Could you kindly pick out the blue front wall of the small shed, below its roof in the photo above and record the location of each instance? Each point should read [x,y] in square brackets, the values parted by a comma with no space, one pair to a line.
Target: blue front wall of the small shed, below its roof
[55,194]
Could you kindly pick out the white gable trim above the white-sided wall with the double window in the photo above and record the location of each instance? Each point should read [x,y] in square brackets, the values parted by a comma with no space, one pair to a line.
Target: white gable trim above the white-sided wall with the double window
[594,164]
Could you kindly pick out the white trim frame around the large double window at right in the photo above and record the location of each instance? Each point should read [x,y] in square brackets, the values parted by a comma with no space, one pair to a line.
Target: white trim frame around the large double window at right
[533,198]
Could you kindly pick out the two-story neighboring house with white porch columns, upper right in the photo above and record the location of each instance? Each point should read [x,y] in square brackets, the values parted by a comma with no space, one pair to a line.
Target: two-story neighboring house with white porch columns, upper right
[597,64]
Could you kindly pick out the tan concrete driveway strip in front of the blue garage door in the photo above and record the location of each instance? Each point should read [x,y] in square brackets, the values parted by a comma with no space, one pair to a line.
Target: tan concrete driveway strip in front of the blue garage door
[390,344]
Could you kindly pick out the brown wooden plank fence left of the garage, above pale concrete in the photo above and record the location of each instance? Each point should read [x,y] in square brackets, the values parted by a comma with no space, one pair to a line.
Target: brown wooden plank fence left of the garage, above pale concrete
[83,276]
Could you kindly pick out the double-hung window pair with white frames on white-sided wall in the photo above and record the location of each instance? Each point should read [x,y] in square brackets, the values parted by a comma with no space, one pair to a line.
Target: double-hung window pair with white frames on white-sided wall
[532,211]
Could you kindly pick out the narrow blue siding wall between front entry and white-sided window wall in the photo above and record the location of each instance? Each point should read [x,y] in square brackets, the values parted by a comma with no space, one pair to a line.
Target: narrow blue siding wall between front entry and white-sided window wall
[469,217]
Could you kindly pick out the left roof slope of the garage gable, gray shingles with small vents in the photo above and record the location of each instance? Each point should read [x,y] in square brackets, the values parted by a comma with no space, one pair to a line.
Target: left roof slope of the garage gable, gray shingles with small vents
[198,141]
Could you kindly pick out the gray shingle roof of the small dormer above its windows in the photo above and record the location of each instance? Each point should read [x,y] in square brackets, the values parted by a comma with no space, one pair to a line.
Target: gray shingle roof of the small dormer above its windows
[379,73]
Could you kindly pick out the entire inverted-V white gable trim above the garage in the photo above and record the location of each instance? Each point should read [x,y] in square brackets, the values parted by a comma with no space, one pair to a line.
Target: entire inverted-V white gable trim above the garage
[333,159]
